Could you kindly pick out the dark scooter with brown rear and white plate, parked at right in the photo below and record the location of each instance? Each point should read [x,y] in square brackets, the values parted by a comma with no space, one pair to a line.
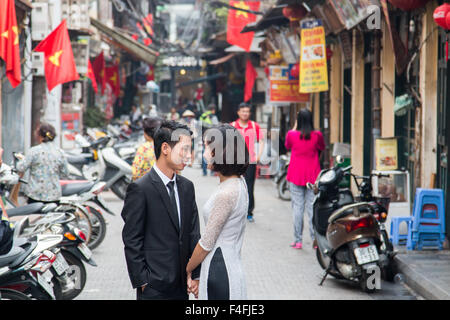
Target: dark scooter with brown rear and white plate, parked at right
[348,235]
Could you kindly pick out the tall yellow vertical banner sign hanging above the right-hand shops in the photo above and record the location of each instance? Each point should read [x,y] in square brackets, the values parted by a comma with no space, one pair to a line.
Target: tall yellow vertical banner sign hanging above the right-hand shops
[313,58]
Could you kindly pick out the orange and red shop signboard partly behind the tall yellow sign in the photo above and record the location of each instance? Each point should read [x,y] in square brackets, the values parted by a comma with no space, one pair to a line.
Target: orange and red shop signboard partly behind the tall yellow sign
[284,87]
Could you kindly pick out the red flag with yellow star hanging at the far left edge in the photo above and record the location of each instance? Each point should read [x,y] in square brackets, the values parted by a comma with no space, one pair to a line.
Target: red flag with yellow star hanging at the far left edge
[9,41]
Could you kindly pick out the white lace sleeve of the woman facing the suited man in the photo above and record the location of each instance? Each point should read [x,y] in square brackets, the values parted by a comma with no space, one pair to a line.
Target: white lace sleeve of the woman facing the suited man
[223,204]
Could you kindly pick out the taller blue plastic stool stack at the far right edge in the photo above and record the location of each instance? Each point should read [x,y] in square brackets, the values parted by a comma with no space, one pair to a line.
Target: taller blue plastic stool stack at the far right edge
[427,227]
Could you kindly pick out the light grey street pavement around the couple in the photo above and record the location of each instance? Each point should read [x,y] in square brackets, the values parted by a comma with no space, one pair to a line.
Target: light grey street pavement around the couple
[274,270]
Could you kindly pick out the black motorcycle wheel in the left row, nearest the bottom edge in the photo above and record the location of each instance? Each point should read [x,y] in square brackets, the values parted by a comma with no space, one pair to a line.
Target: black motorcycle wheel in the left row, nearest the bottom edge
[77,272]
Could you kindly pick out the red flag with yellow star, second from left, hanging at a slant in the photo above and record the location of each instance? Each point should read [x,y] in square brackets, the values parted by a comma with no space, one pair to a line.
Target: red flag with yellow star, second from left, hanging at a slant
[59,62]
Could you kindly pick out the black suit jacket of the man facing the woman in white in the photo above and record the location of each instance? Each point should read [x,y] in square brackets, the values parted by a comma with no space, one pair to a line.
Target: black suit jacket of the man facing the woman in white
[157,250]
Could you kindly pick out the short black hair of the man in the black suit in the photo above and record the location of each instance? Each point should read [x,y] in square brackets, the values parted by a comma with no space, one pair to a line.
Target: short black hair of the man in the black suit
[165,133]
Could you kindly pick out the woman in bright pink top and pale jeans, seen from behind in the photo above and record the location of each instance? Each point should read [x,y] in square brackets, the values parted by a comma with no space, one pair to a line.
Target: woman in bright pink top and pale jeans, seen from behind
[305,144]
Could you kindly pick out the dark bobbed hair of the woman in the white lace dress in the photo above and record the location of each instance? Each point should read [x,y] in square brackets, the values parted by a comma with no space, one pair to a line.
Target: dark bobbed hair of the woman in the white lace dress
[230,153]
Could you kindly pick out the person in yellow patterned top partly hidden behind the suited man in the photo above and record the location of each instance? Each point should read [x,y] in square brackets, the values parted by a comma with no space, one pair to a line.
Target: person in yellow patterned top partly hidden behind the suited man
[145,155]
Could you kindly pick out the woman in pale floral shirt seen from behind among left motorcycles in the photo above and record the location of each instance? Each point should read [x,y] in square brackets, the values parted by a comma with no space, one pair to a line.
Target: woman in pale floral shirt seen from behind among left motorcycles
[44,163]
